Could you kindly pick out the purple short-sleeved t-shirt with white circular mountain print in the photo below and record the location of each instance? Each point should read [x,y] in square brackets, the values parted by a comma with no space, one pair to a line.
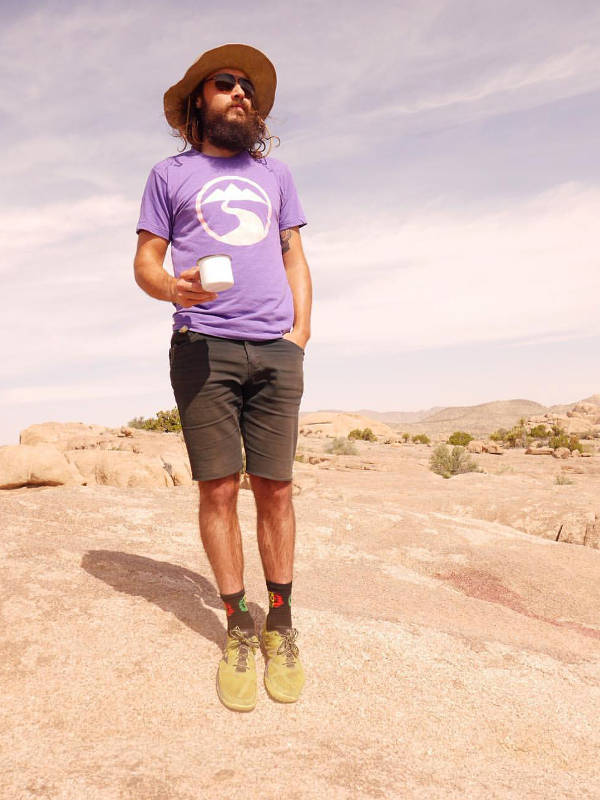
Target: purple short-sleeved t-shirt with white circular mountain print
[206,205]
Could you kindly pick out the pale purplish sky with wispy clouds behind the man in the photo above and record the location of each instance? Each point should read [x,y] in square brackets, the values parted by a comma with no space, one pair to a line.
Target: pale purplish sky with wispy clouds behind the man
[445,153]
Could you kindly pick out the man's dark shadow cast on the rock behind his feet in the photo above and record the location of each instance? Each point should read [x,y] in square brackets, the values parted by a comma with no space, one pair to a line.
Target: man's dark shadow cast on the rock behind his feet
[177,590]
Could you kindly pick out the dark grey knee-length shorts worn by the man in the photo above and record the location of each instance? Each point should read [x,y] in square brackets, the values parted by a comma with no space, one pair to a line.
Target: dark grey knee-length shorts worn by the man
[229,389]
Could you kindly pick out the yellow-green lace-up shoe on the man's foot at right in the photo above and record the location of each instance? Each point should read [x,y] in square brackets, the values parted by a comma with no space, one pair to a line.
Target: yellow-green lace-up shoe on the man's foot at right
[284,675]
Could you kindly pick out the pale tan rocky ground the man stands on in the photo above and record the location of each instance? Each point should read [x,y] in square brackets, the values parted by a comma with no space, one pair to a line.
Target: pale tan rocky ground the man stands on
[450,653]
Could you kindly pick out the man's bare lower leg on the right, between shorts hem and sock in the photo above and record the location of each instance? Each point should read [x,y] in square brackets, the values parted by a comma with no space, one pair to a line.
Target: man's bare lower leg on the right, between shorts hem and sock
[276,527]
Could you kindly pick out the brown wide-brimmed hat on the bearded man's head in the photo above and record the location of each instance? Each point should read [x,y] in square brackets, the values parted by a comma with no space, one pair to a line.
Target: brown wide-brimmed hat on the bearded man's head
[239,56]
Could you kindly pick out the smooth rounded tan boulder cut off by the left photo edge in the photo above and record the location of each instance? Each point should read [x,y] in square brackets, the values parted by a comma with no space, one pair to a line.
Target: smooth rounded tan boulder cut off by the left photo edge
[42,465]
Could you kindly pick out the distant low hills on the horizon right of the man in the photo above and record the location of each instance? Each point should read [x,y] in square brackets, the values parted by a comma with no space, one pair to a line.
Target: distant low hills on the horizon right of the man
[479,420]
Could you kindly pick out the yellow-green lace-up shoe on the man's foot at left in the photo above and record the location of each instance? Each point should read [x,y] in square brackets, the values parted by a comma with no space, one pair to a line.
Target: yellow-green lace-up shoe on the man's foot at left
[236,675]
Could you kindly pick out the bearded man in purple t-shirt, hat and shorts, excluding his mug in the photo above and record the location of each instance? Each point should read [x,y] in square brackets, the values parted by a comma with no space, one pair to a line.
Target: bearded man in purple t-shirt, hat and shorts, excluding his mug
[236,357]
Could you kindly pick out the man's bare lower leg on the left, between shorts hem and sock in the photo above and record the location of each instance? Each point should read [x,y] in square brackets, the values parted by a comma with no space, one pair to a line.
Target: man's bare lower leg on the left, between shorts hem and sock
[220,531]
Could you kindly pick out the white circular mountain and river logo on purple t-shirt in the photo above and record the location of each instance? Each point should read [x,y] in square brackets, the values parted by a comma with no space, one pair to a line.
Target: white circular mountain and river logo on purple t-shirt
[222,199]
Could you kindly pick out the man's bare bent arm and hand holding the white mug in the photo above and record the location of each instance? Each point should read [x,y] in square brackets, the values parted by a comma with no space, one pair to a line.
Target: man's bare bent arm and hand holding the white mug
[151,276]
